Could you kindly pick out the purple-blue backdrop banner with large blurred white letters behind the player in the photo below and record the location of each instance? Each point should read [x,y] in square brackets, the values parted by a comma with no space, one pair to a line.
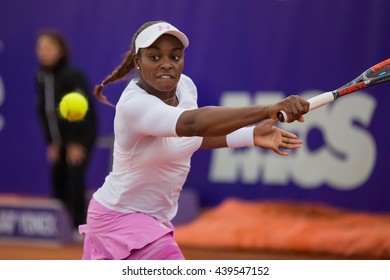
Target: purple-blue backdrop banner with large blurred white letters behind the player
[241,53]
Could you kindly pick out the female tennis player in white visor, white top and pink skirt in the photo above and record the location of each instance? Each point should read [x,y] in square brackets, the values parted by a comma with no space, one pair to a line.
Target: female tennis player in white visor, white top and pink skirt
[158,126]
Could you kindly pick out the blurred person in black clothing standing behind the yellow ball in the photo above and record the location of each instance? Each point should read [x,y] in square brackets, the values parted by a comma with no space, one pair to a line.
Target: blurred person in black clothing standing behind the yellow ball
[69,144]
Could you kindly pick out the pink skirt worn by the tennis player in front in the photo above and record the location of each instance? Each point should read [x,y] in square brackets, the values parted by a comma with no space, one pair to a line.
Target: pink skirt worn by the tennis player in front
[114,235]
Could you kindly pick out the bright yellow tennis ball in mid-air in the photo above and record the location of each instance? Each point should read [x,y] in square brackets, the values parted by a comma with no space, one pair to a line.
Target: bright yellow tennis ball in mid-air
[73,106]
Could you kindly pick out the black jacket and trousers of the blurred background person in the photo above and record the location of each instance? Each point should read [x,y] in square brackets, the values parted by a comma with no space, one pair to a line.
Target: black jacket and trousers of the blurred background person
[68,180]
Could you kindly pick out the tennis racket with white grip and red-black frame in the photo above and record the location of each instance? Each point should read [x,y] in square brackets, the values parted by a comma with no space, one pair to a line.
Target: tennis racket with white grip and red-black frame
[377,74]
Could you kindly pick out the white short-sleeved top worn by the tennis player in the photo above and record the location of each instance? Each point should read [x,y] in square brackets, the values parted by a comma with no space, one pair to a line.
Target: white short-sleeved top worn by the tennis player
[151,162]
